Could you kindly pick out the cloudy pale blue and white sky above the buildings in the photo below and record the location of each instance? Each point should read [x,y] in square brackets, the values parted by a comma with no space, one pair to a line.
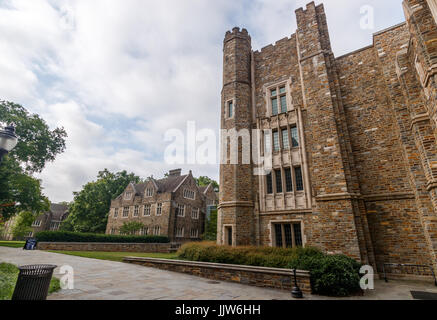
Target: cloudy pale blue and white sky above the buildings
[119,74]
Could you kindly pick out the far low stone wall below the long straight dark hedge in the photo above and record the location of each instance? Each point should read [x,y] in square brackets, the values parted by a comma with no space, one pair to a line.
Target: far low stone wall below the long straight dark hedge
[106,247]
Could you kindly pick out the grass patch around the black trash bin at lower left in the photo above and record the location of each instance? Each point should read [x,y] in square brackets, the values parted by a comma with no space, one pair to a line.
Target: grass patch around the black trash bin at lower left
[8,279]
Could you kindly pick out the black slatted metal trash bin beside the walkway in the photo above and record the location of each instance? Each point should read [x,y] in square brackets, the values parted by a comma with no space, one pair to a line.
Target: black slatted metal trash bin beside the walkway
[33,282]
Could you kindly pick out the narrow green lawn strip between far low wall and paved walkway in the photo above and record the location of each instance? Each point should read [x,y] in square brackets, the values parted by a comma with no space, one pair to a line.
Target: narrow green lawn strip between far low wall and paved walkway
[116,256]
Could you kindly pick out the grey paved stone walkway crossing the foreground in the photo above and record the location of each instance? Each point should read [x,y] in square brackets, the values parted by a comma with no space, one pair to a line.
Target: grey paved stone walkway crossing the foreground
[108,280]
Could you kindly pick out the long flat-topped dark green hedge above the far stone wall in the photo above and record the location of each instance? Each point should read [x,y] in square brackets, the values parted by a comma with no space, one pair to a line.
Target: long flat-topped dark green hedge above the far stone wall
[66,236]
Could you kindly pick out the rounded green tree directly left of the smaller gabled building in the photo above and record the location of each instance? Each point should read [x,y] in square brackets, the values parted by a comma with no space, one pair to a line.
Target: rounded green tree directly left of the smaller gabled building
[90,208]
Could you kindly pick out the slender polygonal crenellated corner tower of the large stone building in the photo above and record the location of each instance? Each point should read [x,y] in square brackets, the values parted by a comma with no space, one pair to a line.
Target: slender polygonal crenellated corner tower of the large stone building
[236,209]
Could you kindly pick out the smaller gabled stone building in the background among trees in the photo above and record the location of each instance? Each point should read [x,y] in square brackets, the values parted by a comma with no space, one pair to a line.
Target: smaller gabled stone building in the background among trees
[173,207]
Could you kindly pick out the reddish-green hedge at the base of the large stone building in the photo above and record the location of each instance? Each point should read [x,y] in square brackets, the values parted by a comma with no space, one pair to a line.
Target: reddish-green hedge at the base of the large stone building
[331,275]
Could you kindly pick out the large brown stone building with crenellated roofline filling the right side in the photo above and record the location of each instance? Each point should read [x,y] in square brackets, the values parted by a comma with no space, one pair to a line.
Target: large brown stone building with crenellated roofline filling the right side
[352,138]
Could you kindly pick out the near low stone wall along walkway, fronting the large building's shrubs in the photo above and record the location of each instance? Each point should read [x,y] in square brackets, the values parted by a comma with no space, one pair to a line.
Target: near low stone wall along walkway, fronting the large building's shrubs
[254,276]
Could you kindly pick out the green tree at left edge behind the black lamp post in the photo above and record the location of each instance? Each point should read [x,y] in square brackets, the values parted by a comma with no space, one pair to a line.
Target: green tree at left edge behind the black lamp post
[37,145]
